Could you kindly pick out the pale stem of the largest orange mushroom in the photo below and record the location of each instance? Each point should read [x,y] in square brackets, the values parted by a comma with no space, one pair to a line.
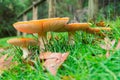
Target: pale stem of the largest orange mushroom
[42,37]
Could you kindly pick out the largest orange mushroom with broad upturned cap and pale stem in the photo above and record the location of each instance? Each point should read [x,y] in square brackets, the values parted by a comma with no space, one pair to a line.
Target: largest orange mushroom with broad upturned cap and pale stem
[41,27]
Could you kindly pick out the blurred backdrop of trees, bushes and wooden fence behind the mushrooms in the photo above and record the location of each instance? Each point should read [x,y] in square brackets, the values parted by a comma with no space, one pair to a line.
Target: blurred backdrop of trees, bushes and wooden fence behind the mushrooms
[78,11]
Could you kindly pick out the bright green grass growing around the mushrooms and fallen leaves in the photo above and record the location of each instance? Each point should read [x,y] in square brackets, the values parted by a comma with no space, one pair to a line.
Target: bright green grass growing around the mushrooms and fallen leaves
[87,61]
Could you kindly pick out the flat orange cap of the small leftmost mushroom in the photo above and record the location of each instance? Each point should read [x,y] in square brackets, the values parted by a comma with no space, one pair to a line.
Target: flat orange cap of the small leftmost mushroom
[23,42]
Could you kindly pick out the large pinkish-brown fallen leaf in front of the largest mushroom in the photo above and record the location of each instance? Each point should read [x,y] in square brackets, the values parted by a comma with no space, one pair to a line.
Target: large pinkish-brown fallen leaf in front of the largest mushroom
[53,61]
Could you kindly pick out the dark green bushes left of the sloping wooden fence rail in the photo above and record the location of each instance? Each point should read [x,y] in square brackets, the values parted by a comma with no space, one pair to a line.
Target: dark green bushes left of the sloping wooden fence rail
[8,15]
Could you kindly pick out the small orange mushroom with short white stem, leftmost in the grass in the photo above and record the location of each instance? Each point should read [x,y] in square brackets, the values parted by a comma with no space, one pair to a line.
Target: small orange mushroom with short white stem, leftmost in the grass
[23,43]
